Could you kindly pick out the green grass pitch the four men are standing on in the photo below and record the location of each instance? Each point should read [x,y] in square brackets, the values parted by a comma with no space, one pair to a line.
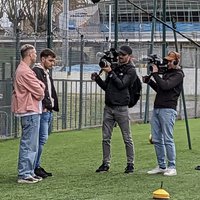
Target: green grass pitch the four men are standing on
[73,157]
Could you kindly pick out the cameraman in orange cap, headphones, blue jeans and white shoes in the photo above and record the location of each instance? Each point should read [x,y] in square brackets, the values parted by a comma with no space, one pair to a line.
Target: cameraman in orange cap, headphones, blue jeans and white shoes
[168,88]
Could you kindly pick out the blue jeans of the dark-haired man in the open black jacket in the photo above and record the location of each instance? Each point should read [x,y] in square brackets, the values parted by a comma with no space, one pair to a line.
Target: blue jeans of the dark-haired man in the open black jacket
[45,128]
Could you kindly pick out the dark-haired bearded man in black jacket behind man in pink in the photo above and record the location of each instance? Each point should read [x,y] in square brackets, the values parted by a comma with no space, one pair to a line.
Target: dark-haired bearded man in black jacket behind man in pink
[49,103]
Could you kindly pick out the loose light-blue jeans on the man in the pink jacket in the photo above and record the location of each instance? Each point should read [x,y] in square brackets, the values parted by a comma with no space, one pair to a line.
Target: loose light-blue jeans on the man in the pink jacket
[28,145]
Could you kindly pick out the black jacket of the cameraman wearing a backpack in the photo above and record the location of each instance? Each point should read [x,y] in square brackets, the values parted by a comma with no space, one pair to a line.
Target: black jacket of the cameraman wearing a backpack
[116,85]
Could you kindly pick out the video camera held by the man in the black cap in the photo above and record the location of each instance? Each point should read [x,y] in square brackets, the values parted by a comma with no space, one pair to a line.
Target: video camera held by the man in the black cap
[108,58]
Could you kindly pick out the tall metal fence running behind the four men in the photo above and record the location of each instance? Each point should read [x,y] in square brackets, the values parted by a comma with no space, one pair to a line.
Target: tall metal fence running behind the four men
[81,100]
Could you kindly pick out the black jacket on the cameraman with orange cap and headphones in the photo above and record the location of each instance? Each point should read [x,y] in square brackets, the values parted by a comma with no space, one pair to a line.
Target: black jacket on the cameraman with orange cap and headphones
[168,88]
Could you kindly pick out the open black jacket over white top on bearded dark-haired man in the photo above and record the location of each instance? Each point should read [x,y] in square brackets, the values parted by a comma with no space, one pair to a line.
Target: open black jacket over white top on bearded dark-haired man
[46,102]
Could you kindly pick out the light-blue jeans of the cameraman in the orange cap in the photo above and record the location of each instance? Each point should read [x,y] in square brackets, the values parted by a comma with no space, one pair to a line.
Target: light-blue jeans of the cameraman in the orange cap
[162,127]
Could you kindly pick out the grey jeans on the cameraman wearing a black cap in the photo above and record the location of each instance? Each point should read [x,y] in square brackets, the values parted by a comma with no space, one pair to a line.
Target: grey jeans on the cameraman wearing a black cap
[119,114]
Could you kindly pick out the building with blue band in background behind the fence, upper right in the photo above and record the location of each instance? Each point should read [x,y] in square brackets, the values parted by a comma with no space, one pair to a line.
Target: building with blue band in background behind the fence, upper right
[133,22]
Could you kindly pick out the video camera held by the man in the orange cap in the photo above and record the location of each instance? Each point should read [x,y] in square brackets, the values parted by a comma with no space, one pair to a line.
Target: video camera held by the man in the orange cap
[159,62]
